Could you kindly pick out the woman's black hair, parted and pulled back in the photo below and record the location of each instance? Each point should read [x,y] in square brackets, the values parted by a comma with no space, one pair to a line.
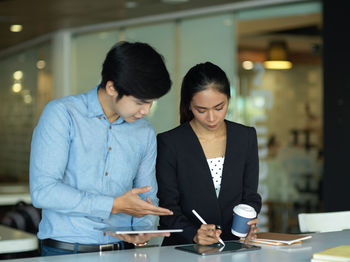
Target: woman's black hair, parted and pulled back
[197,79]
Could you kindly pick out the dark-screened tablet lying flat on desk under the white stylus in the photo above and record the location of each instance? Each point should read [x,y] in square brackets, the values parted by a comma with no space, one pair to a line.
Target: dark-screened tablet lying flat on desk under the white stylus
[217,248]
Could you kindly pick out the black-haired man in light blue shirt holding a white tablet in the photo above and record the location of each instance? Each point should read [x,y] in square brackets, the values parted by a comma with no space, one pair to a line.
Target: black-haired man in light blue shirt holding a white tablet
[92,161]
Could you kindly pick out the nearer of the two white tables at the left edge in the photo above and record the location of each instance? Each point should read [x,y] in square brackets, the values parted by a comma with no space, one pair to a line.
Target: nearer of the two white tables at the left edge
[14,241]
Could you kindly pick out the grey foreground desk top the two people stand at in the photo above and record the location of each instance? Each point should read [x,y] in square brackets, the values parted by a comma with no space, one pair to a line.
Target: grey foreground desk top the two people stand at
[302,253]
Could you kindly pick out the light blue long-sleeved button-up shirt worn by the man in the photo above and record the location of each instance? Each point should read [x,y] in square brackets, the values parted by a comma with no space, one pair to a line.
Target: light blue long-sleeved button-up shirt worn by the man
[79,163]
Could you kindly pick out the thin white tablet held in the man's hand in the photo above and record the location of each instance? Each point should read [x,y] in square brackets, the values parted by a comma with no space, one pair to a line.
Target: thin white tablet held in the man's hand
[137,230]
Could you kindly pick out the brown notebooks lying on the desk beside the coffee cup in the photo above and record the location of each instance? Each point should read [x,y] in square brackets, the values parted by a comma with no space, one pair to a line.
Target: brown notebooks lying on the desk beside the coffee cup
[278,239]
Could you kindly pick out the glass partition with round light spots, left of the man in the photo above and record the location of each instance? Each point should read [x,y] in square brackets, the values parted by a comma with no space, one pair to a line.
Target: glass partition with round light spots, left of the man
[25,87]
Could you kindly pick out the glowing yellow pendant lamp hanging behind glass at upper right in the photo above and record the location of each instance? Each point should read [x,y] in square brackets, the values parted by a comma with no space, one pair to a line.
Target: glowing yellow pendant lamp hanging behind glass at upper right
[277,56]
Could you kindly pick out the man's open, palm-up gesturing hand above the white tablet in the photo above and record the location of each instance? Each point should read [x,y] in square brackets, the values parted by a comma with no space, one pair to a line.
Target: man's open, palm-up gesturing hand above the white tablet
[130,203]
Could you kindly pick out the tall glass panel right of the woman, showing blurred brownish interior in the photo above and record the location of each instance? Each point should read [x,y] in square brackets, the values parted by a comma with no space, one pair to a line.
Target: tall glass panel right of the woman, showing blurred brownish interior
[285,106]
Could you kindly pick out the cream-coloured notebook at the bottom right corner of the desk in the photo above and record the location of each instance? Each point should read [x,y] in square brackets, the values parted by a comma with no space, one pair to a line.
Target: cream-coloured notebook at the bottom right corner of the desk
[339,253]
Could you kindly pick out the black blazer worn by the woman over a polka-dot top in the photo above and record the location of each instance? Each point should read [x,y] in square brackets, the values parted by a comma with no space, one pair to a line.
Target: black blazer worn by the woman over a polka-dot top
[185,181]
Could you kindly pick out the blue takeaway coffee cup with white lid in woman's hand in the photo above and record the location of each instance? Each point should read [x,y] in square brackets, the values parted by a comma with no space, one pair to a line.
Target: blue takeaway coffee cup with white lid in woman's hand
[242,214]
